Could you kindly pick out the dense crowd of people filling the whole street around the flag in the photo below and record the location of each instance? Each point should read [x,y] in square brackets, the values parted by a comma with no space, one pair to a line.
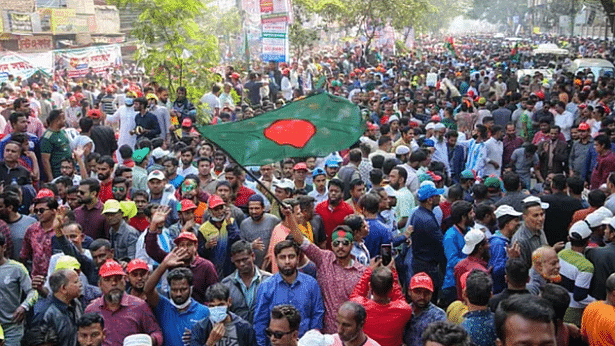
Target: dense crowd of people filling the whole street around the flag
[476,209]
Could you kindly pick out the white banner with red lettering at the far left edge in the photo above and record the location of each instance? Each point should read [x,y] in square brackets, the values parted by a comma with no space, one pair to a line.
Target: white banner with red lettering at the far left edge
[24,65]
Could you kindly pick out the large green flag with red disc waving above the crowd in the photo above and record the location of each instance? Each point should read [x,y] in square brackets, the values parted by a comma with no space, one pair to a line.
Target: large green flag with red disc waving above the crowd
[317,125]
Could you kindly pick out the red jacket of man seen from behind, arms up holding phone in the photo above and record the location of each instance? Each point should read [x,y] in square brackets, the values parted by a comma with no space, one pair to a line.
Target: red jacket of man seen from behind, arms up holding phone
[385,323]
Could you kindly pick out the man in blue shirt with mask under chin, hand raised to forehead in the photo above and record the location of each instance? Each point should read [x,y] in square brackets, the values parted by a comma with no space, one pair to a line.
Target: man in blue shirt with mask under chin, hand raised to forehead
[180,311]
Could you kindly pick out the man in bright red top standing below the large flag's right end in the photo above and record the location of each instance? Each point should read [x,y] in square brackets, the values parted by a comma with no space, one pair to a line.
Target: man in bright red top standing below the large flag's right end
[334,209]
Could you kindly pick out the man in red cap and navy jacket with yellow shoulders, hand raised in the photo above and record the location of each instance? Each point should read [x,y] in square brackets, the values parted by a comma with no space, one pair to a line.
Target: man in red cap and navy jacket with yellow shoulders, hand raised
[217,234]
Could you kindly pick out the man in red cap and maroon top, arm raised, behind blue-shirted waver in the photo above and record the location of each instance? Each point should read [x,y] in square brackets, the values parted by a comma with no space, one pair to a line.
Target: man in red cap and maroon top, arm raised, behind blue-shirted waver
[202,269]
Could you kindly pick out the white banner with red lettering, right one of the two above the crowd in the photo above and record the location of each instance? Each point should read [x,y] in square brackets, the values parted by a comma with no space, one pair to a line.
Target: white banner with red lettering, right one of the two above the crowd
[79,61]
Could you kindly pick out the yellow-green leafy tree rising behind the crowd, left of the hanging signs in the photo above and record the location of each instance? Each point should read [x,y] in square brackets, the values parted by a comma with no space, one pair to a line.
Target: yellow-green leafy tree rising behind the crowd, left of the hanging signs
[174,48]
